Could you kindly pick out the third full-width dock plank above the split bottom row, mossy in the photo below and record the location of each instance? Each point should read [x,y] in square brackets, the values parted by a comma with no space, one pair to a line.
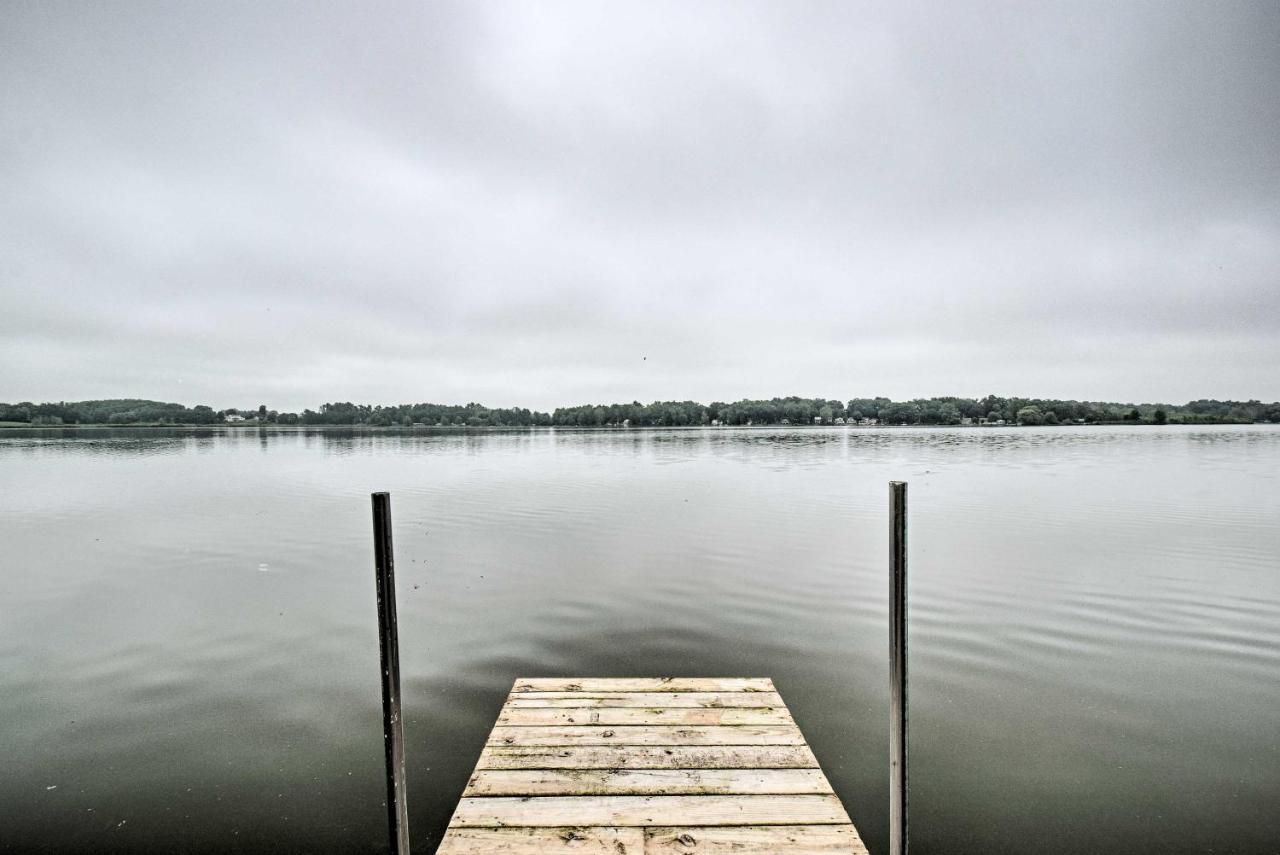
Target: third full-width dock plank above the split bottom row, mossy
[676,757]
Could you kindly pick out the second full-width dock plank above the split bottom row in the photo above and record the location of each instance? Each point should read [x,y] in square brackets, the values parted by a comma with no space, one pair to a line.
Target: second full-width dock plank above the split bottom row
[671,783]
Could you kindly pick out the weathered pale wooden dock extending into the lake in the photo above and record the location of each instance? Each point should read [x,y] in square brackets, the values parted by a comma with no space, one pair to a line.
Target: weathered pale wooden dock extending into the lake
[646,767]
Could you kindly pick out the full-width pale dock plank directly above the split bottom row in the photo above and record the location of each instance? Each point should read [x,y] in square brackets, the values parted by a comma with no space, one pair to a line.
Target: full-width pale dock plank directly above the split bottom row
[651,811]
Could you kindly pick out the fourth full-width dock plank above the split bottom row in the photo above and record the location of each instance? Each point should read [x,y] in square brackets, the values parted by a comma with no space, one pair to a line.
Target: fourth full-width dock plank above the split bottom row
[647,735]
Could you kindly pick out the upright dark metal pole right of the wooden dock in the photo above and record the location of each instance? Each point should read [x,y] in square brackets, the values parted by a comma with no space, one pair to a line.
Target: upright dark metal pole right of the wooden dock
[898,667]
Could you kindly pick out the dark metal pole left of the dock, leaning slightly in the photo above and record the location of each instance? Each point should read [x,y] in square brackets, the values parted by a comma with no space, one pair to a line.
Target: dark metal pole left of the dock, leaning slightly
[388,647]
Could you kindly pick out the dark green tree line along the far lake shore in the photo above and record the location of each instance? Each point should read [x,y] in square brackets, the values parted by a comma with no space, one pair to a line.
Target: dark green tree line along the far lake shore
[660,414]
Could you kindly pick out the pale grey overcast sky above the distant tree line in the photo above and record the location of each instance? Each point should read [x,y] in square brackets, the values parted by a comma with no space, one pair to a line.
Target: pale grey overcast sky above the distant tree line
[563,203]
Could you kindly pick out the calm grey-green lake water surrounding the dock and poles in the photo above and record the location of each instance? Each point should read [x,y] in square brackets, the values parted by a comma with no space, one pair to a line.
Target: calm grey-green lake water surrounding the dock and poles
[189,653]
